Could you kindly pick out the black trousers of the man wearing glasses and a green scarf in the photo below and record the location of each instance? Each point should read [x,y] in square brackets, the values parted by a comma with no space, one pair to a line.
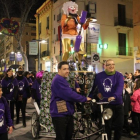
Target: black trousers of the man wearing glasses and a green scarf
[116,122]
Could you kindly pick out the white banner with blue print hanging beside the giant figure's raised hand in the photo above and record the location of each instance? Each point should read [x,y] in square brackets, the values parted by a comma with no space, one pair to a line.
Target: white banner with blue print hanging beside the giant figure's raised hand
[93,33]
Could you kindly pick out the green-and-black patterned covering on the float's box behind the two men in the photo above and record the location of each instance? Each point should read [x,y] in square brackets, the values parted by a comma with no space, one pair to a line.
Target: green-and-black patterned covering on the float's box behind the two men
[45,117]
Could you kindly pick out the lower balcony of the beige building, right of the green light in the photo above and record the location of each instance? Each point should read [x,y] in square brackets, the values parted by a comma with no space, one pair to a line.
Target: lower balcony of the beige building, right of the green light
[128,51]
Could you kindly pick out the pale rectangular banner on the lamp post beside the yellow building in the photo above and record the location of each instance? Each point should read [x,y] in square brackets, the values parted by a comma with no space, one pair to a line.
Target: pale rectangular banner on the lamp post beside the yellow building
[33,48]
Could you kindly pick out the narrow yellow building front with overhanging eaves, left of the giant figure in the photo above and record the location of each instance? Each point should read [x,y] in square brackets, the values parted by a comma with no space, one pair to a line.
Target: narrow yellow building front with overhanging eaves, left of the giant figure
[44,32]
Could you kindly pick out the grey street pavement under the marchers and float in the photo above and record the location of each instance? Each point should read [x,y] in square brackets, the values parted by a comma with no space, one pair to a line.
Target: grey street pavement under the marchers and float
[22,133]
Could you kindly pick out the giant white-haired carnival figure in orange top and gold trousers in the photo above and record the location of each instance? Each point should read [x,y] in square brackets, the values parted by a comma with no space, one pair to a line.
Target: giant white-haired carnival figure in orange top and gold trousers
[69,22]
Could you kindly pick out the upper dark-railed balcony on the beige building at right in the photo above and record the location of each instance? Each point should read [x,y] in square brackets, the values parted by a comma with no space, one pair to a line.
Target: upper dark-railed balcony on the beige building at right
[126,23]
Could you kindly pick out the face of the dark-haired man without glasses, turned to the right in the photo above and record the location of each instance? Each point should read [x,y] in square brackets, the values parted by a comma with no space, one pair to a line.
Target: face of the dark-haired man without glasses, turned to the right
[64,71]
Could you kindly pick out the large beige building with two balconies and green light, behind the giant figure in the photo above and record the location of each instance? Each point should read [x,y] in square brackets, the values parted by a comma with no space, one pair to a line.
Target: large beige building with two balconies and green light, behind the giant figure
[115,18]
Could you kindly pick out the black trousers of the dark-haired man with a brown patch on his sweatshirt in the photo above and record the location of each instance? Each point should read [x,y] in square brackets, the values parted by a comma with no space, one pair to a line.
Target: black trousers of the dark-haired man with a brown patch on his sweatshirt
[64,127]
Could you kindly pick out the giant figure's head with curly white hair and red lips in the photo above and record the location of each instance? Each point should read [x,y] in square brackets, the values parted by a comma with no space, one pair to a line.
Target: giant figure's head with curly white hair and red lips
[70,7]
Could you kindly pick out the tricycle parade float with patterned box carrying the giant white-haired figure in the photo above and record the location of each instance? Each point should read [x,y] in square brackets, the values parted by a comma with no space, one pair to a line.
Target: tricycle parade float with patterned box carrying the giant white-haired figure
[84,126]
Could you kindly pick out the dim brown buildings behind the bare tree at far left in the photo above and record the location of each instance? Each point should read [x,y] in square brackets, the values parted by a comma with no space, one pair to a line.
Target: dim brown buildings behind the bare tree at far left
[9,44]
